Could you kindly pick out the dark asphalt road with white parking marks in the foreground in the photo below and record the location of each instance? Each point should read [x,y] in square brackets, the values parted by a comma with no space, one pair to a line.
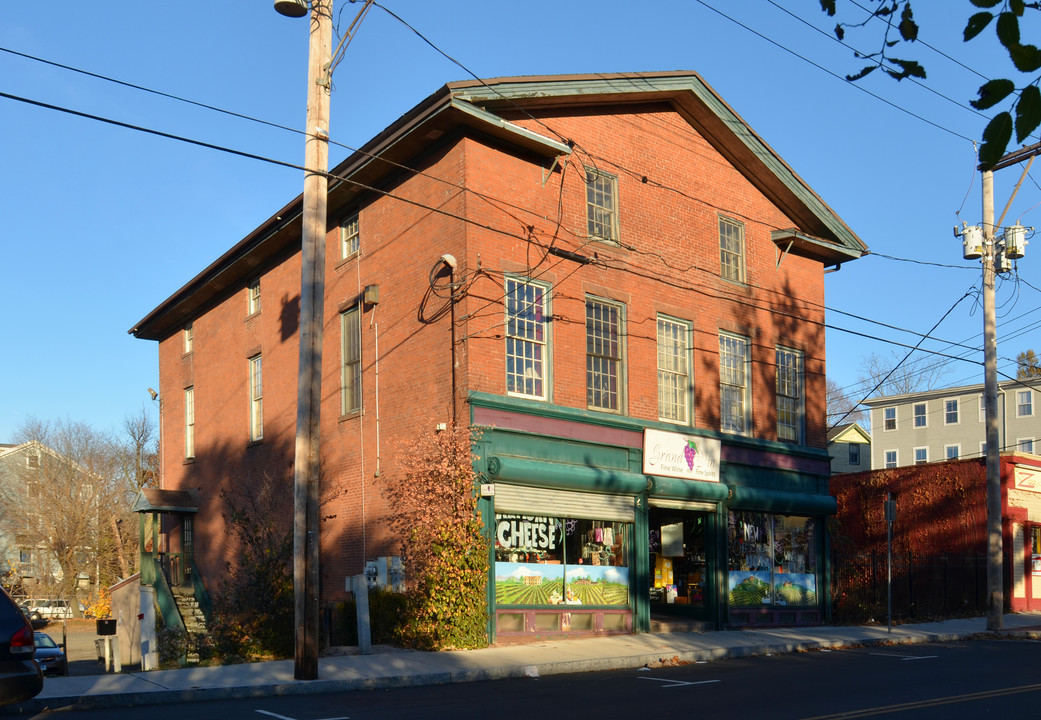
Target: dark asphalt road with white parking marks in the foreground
[930,682]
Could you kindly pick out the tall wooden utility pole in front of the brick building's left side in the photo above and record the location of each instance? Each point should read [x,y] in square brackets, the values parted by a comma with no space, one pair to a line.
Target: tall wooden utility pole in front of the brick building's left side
[307,541]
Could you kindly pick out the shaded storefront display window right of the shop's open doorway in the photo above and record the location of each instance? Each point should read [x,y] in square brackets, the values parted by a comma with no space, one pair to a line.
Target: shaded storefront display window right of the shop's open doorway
[773,560]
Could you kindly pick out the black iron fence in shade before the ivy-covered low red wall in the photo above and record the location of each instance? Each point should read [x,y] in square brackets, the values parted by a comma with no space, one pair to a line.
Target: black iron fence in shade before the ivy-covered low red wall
[924,587]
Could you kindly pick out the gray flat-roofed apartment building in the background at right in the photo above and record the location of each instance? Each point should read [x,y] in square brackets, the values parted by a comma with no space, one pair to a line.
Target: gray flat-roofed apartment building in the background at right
[949,424]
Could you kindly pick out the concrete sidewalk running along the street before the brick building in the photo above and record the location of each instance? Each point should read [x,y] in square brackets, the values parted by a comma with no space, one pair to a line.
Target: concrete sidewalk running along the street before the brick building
[393,667]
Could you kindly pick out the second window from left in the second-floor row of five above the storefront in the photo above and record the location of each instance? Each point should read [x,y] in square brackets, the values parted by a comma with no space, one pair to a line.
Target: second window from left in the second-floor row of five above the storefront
[603,355]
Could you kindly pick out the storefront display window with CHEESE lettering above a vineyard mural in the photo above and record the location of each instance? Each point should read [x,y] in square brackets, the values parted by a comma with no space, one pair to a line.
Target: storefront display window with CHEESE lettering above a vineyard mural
[546,561]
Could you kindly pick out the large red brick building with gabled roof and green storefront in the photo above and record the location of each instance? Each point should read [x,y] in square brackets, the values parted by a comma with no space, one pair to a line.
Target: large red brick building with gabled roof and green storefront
[568,262]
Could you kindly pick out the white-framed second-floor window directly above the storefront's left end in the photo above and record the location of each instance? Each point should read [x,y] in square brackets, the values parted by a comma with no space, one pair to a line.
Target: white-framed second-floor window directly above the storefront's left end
[526,339]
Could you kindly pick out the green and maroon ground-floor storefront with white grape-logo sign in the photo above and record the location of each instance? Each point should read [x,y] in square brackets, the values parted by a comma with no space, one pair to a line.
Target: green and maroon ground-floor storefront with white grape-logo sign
[597,529]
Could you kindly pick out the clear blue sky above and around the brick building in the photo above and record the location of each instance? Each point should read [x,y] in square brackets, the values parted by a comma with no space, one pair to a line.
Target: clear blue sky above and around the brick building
[99,224]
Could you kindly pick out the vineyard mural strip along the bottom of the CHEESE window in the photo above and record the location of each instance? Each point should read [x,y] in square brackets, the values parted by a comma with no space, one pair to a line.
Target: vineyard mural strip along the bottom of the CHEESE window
[546,584]
